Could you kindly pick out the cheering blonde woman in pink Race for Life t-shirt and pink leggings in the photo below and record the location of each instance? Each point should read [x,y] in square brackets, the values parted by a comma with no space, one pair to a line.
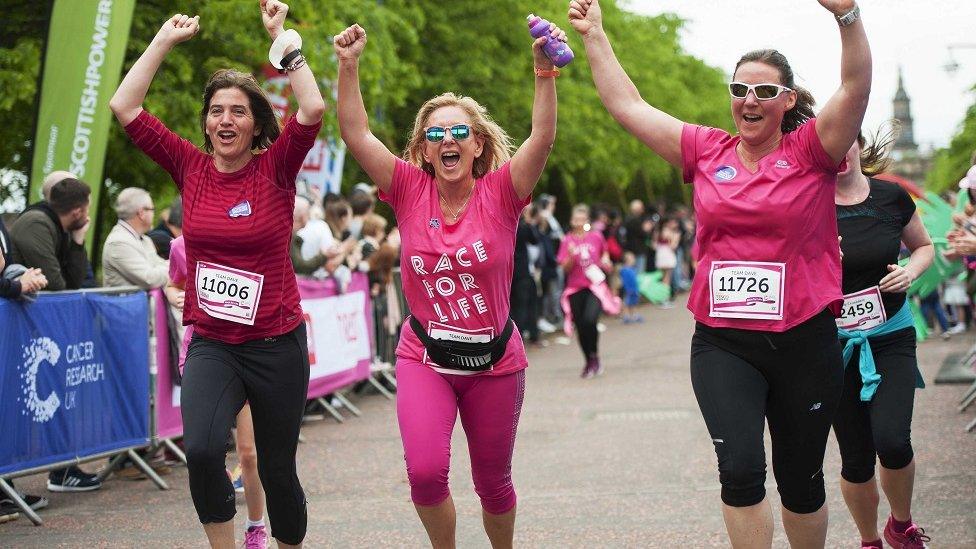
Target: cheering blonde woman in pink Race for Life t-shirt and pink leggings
[457,197]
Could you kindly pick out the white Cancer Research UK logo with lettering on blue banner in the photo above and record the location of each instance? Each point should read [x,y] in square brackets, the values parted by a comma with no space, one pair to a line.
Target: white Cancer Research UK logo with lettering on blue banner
[81,370]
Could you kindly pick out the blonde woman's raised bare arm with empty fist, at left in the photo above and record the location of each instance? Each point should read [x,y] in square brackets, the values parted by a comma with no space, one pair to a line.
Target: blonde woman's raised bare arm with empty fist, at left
[370,152]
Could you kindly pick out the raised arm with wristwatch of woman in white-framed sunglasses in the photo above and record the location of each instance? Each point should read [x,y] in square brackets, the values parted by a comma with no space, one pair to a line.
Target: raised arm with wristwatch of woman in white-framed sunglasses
[840,120]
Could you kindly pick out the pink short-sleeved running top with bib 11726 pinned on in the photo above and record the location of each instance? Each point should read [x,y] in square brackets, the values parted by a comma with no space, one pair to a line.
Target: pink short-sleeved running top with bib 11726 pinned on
[783,216]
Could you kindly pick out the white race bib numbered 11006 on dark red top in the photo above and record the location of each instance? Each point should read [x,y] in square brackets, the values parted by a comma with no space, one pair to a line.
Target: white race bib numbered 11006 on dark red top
[228,293]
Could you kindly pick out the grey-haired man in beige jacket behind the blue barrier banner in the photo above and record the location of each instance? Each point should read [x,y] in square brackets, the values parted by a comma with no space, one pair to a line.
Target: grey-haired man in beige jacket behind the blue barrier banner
[129,257]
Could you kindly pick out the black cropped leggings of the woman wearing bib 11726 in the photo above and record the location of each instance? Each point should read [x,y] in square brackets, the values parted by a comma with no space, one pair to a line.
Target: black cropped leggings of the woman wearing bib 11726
[792,380]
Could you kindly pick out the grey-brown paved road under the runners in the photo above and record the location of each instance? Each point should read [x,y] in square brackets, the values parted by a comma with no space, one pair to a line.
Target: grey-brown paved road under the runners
[623,460]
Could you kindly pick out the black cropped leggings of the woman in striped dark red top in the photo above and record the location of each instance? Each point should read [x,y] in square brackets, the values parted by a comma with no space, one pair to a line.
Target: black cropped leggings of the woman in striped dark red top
[271,374]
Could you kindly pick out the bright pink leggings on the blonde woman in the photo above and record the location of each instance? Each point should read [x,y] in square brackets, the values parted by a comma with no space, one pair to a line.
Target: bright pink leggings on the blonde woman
[428,403]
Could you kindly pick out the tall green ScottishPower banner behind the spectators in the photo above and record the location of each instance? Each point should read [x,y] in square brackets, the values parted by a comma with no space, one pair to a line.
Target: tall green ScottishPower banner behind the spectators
[85,49]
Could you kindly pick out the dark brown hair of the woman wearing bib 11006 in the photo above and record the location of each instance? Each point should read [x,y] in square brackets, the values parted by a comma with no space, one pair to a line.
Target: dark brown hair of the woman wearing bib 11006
[264,116]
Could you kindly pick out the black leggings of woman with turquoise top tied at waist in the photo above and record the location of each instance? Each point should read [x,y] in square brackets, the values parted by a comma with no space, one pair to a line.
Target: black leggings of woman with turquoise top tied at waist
[883,426]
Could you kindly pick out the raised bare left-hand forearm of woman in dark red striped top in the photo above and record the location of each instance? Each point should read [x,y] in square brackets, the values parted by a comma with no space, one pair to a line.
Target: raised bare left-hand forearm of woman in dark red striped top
[127,101]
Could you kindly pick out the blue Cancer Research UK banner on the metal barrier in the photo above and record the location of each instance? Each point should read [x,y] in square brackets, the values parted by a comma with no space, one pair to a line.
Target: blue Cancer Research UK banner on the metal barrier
[74,377]
